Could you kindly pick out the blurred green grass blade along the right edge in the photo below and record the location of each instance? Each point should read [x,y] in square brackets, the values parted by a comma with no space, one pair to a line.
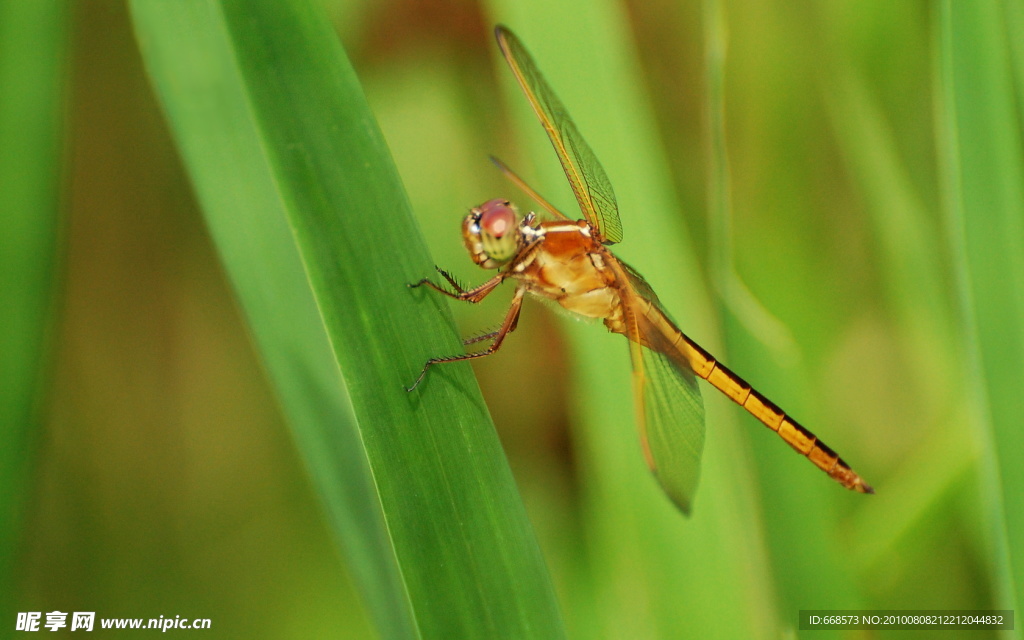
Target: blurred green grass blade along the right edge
[985,162]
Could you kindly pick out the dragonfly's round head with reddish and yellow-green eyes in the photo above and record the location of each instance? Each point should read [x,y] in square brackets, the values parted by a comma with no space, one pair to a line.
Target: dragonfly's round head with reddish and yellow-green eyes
[492,233]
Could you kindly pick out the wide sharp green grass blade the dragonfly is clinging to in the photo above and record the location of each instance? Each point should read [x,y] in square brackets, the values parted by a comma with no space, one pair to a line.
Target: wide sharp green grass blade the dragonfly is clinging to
[276,134]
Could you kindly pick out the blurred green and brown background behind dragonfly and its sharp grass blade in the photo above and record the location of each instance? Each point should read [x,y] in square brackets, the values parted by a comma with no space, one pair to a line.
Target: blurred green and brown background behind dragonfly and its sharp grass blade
[827,196]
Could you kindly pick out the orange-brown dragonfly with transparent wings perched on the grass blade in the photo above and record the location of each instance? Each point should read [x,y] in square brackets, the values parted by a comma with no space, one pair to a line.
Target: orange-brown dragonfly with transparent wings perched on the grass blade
[569,262]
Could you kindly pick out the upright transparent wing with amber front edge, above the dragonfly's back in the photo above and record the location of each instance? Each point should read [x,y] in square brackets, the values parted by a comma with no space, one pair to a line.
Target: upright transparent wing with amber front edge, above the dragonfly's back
[589,182]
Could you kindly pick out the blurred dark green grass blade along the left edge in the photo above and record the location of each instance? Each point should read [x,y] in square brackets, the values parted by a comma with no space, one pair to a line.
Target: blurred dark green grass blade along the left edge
[32,73]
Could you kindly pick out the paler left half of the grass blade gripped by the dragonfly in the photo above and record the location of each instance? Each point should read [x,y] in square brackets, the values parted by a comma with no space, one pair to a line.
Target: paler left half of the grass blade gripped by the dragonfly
[248,224]
